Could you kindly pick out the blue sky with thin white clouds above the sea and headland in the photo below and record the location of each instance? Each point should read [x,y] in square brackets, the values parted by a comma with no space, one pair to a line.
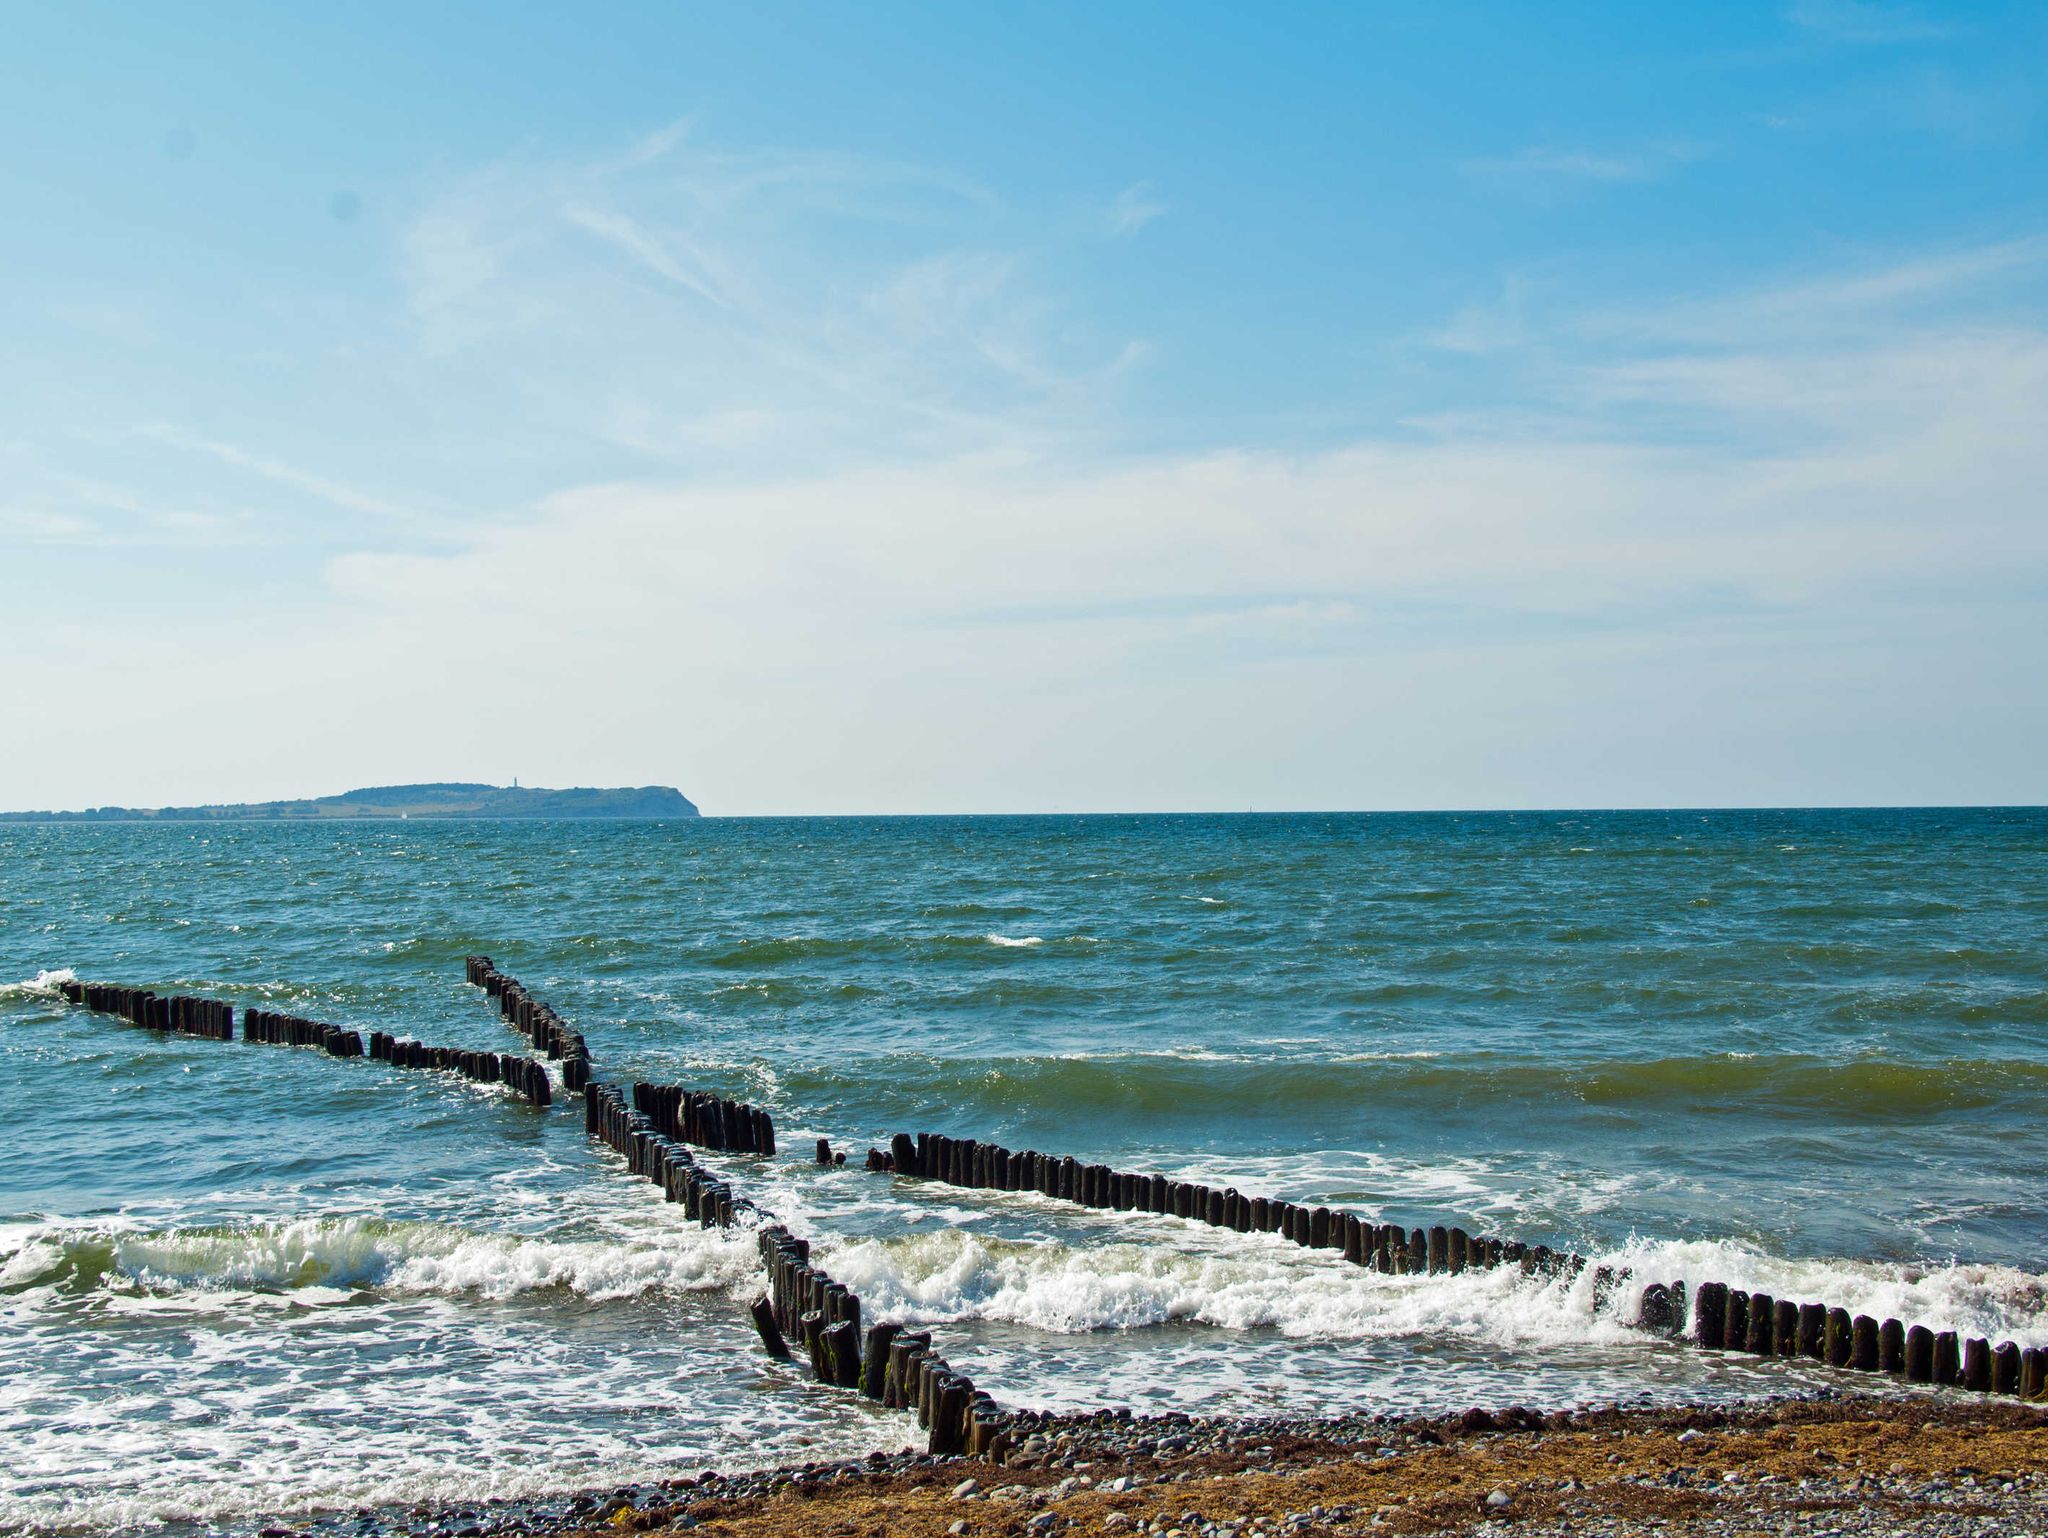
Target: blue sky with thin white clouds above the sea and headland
[914,409]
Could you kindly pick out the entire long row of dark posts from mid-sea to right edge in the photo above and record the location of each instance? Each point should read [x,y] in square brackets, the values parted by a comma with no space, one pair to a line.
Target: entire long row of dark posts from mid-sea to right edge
[1723,1318]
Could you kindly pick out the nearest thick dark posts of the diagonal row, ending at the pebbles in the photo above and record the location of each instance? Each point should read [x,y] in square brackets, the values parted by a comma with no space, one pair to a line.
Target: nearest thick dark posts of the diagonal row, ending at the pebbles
[890,1365]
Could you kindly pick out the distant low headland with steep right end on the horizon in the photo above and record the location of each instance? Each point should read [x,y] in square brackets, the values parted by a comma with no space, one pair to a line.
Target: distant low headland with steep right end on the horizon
[421,802]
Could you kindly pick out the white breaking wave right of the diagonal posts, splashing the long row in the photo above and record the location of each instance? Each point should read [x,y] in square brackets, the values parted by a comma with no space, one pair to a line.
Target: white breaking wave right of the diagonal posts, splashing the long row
[1244,1283]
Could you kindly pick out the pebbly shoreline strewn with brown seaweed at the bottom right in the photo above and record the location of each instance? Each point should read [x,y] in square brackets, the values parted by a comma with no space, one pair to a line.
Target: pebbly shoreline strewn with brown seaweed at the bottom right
[1832,1463]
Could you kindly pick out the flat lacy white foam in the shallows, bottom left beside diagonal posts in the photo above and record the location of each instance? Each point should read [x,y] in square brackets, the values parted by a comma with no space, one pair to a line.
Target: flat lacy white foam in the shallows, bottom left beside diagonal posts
[427,1400]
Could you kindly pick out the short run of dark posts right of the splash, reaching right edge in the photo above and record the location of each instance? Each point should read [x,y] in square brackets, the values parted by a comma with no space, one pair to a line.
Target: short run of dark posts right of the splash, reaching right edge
[1732,1320]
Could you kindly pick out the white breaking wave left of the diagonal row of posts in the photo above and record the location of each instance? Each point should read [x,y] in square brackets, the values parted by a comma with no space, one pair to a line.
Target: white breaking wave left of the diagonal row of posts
[366,1254]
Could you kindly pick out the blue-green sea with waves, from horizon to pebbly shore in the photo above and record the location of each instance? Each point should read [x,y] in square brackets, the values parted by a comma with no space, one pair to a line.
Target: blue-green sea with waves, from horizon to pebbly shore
[1799,1052]
